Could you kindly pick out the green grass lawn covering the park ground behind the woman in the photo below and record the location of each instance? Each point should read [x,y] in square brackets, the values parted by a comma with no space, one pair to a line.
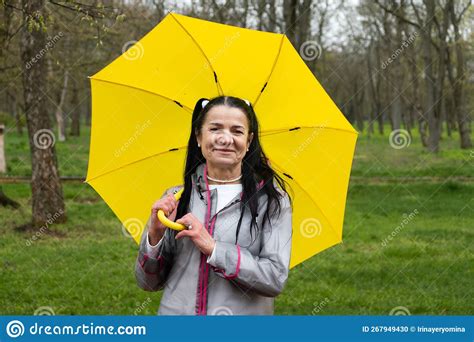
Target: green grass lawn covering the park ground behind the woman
[426,267]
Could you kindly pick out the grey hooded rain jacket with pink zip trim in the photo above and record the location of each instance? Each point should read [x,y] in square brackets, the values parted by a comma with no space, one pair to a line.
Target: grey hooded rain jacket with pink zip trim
[246,277]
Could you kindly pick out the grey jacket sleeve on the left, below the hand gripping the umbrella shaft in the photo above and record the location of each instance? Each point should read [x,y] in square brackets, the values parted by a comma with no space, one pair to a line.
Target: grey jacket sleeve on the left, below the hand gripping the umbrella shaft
[151,273]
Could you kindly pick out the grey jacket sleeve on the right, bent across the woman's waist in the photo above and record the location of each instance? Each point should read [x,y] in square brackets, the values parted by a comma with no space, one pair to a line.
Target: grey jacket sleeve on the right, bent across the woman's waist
[267,272]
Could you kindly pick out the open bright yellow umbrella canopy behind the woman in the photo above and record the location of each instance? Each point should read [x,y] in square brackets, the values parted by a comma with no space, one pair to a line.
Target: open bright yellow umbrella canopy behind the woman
[141,119]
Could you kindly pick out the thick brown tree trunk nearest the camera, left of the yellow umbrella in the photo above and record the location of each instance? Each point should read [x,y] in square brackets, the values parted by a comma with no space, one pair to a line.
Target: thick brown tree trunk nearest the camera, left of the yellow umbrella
[47,194]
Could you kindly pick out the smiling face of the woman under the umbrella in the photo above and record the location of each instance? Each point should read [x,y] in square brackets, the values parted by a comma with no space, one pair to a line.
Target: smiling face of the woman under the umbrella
[224,136]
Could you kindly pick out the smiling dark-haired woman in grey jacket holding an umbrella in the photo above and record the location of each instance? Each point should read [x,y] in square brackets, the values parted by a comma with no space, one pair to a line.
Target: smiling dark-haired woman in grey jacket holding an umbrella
[234,257]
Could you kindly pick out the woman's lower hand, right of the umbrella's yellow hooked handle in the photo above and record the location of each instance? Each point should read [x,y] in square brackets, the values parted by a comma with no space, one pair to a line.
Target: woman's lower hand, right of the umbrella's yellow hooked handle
[198,234]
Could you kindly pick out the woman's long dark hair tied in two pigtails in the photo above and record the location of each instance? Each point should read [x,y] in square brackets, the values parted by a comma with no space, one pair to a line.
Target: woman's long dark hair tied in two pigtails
[254,166]
